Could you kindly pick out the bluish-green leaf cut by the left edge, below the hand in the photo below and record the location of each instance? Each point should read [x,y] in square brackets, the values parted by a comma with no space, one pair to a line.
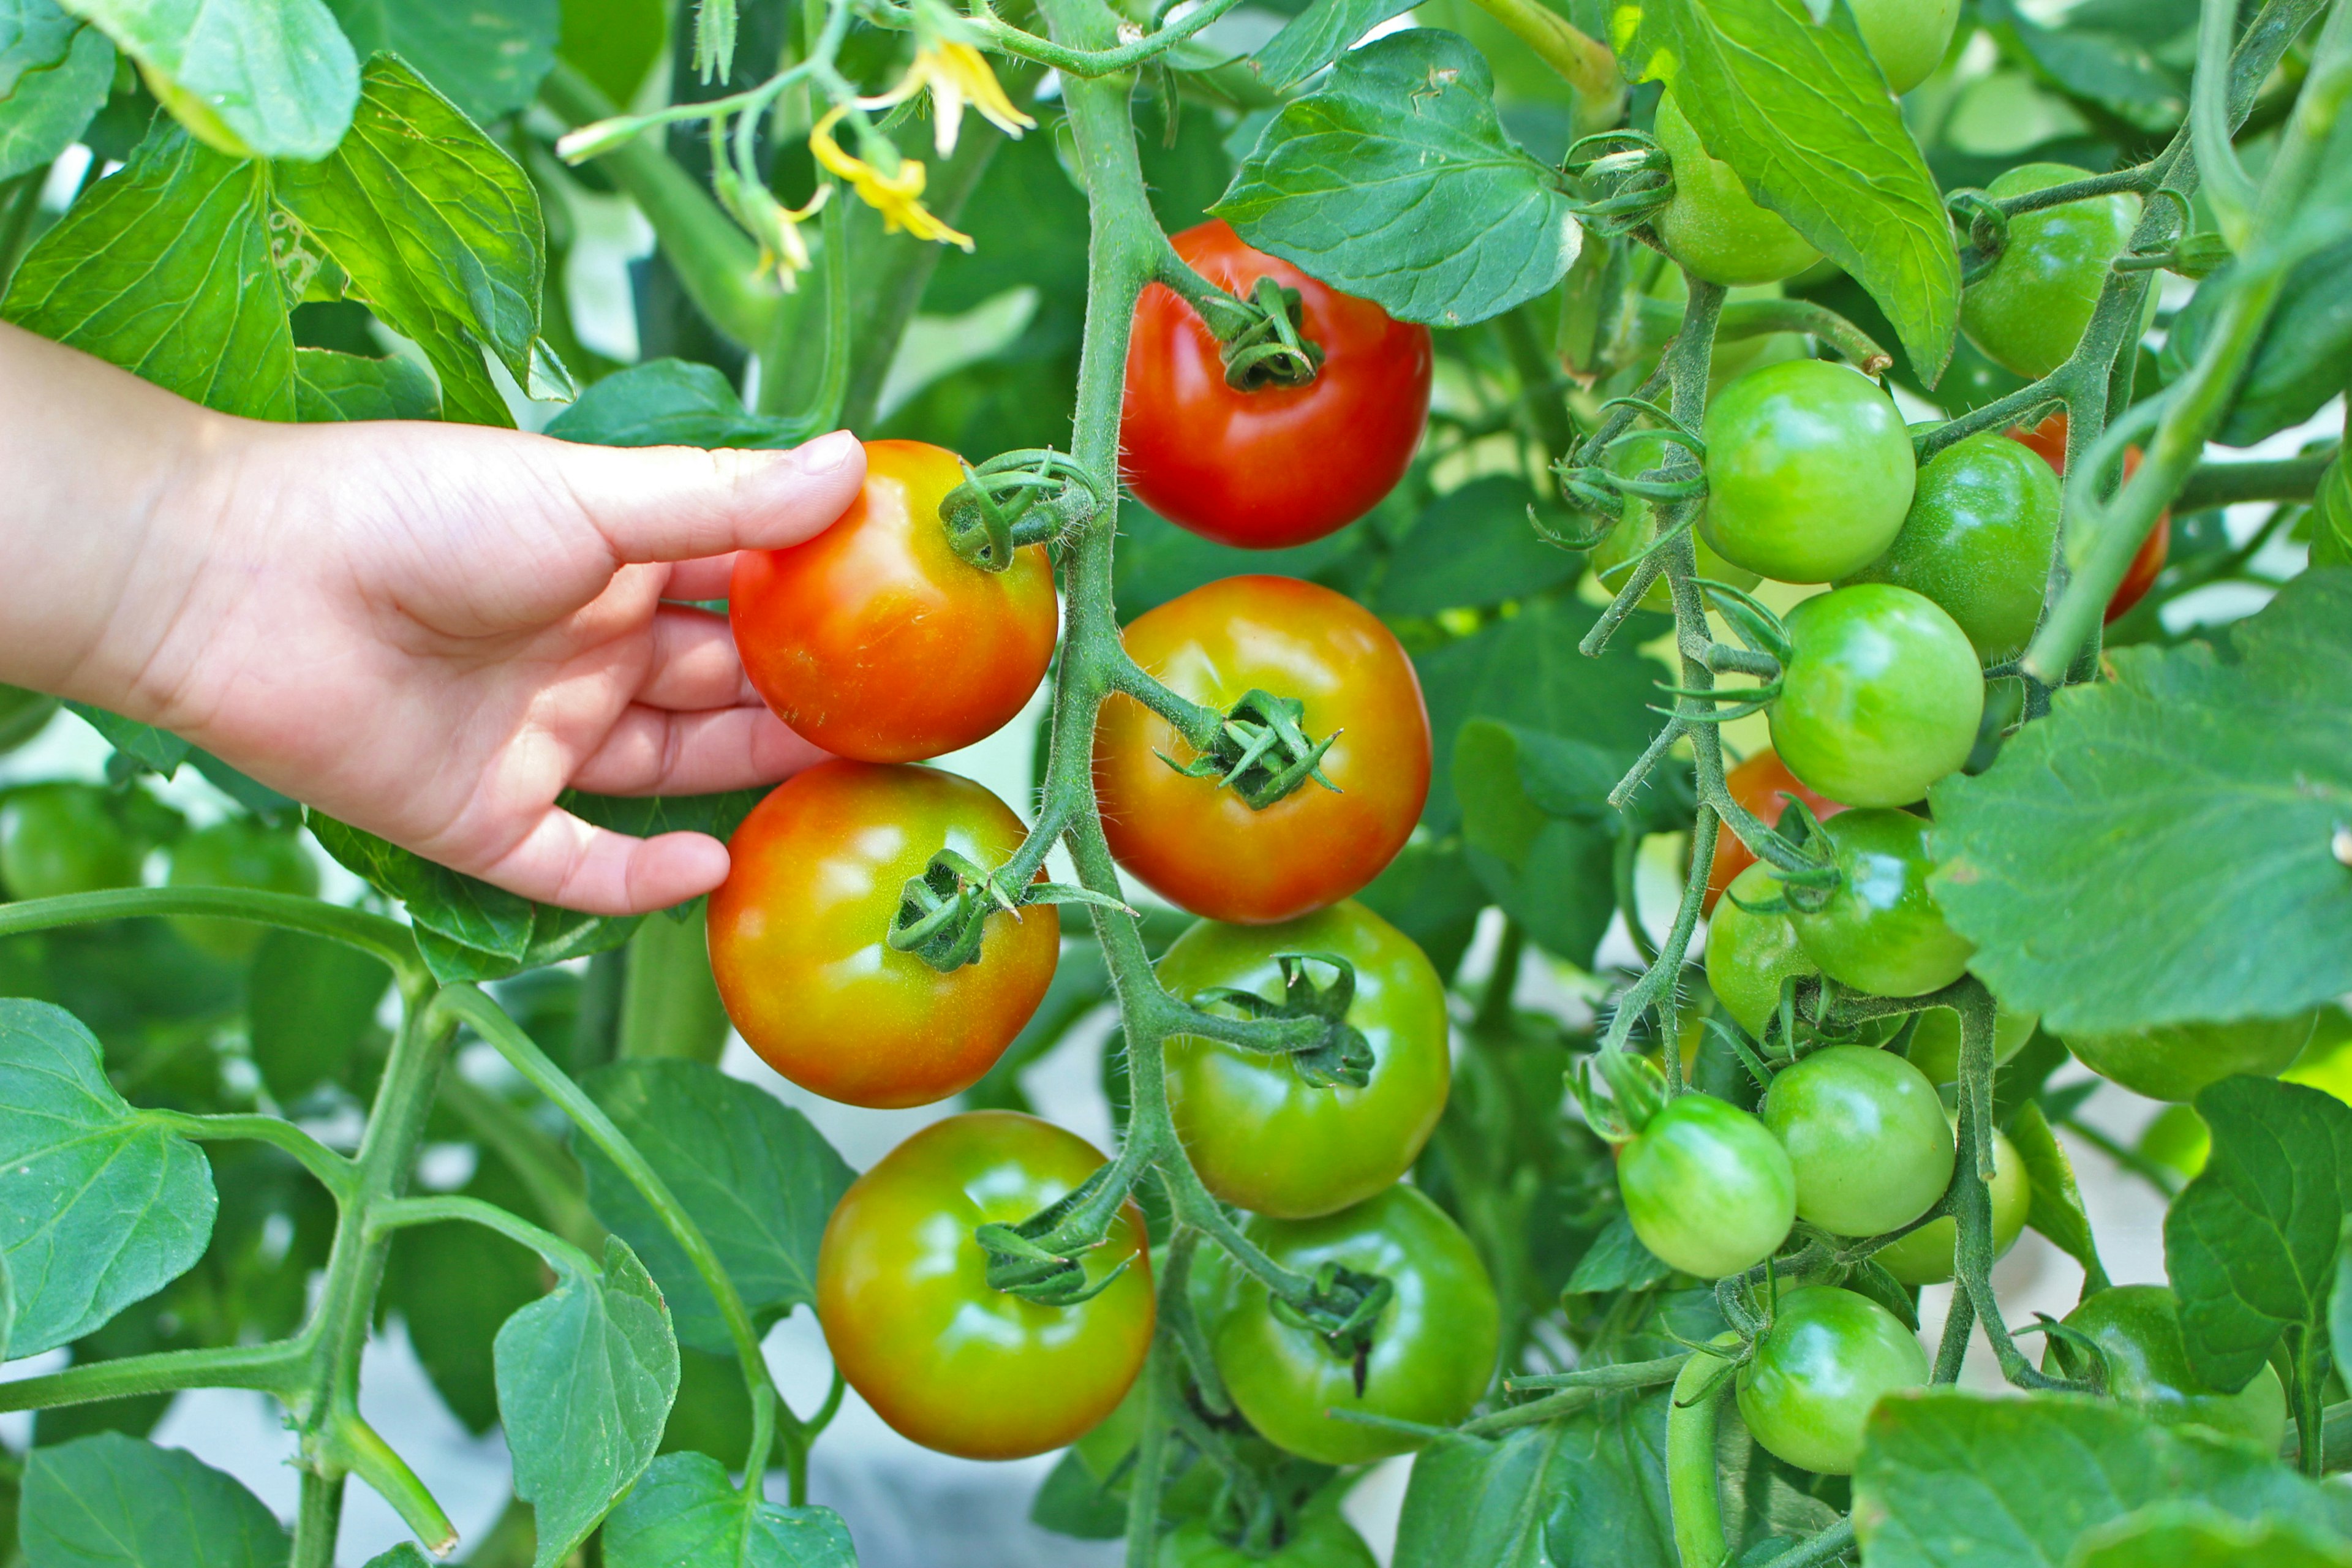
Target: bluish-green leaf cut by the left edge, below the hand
[100,1207]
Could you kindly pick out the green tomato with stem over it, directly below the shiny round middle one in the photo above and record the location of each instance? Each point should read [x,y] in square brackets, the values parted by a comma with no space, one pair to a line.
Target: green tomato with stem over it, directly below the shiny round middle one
[1880,930]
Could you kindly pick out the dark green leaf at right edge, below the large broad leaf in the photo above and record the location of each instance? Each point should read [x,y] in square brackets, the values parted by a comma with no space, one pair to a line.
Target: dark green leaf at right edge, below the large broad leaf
[2252,1242]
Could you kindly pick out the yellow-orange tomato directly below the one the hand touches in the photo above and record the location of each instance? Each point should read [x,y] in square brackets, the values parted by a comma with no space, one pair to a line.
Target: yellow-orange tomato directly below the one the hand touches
[799,937]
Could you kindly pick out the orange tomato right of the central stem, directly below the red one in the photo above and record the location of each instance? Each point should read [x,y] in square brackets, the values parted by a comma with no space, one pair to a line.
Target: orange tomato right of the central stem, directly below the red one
[1201,845]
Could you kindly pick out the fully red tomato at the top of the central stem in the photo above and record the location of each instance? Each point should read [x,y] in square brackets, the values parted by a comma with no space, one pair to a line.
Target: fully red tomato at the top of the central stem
[1281,464]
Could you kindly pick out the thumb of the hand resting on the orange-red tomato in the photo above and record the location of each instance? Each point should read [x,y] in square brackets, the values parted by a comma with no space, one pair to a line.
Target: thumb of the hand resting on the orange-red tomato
[676,504]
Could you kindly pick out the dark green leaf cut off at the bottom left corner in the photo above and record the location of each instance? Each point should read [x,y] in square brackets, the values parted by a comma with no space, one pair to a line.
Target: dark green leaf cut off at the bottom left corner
[116,1501]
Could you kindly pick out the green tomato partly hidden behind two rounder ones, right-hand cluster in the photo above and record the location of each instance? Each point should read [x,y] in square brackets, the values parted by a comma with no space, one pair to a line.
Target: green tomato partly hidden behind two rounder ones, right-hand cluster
[1979,542]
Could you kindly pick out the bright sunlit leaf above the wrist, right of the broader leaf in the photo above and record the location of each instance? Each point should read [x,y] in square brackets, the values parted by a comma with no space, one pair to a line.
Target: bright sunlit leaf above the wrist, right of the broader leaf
[439,232]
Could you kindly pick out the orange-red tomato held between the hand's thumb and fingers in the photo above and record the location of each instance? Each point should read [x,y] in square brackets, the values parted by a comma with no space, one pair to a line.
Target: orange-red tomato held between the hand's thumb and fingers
[876,641]
